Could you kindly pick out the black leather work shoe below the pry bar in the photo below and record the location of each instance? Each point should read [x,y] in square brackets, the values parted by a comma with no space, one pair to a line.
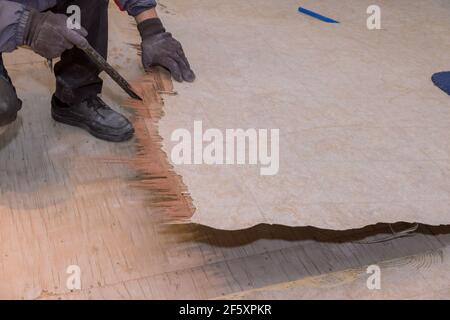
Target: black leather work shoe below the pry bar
[93,115]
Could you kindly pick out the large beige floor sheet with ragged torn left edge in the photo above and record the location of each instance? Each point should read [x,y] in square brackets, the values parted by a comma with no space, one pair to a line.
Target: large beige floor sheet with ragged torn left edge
[364,134]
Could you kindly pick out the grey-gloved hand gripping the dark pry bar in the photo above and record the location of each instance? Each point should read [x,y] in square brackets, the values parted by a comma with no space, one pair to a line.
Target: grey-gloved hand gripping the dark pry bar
[47,34]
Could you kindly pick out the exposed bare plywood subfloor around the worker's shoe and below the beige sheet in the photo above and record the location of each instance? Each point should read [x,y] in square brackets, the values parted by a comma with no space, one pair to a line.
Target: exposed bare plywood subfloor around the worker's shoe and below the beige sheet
[61,205]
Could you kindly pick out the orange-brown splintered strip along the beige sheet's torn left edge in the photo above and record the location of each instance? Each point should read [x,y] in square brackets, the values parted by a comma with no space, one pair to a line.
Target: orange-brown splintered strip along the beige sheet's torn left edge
[167,191]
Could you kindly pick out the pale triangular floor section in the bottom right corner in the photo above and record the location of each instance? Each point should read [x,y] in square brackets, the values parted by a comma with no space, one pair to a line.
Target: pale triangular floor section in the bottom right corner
[416,277]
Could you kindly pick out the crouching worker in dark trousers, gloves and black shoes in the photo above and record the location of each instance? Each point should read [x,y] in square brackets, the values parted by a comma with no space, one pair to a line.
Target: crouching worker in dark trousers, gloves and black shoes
[42,26]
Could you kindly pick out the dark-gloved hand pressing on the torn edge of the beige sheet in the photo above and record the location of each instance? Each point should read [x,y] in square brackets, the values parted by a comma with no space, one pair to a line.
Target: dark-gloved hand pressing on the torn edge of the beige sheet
[159,48]
